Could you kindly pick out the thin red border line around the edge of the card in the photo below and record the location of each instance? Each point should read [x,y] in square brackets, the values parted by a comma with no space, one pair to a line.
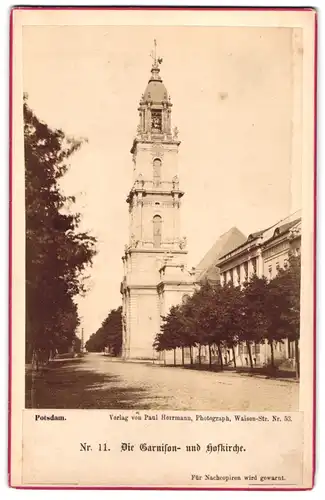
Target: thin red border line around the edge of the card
[127,488]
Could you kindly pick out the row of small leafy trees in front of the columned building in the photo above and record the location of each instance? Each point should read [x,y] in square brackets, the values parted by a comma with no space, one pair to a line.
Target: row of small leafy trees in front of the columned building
[221,317]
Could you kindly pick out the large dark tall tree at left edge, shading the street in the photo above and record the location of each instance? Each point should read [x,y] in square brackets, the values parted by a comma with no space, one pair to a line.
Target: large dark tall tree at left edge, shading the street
[57,253]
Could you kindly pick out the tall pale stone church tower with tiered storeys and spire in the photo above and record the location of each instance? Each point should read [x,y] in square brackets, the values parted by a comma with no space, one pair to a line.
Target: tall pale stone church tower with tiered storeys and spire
[155,273]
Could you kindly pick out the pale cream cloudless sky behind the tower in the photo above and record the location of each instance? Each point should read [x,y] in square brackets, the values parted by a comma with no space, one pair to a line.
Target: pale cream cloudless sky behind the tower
[233,93]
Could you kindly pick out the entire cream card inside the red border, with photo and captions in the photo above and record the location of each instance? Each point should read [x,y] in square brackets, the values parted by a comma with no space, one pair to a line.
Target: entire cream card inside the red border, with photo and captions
[163,240]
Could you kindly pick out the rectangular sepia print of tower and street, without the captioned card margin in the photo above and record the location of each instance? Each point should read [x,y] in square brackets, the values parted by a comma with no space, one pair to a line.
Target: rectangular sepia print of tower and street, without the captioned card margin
[163,217]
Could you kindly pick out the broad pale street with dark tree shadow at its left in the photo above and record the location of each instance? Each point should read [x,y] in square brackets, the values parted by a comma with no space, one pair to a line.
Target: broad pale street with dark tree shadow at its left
[96,381]
